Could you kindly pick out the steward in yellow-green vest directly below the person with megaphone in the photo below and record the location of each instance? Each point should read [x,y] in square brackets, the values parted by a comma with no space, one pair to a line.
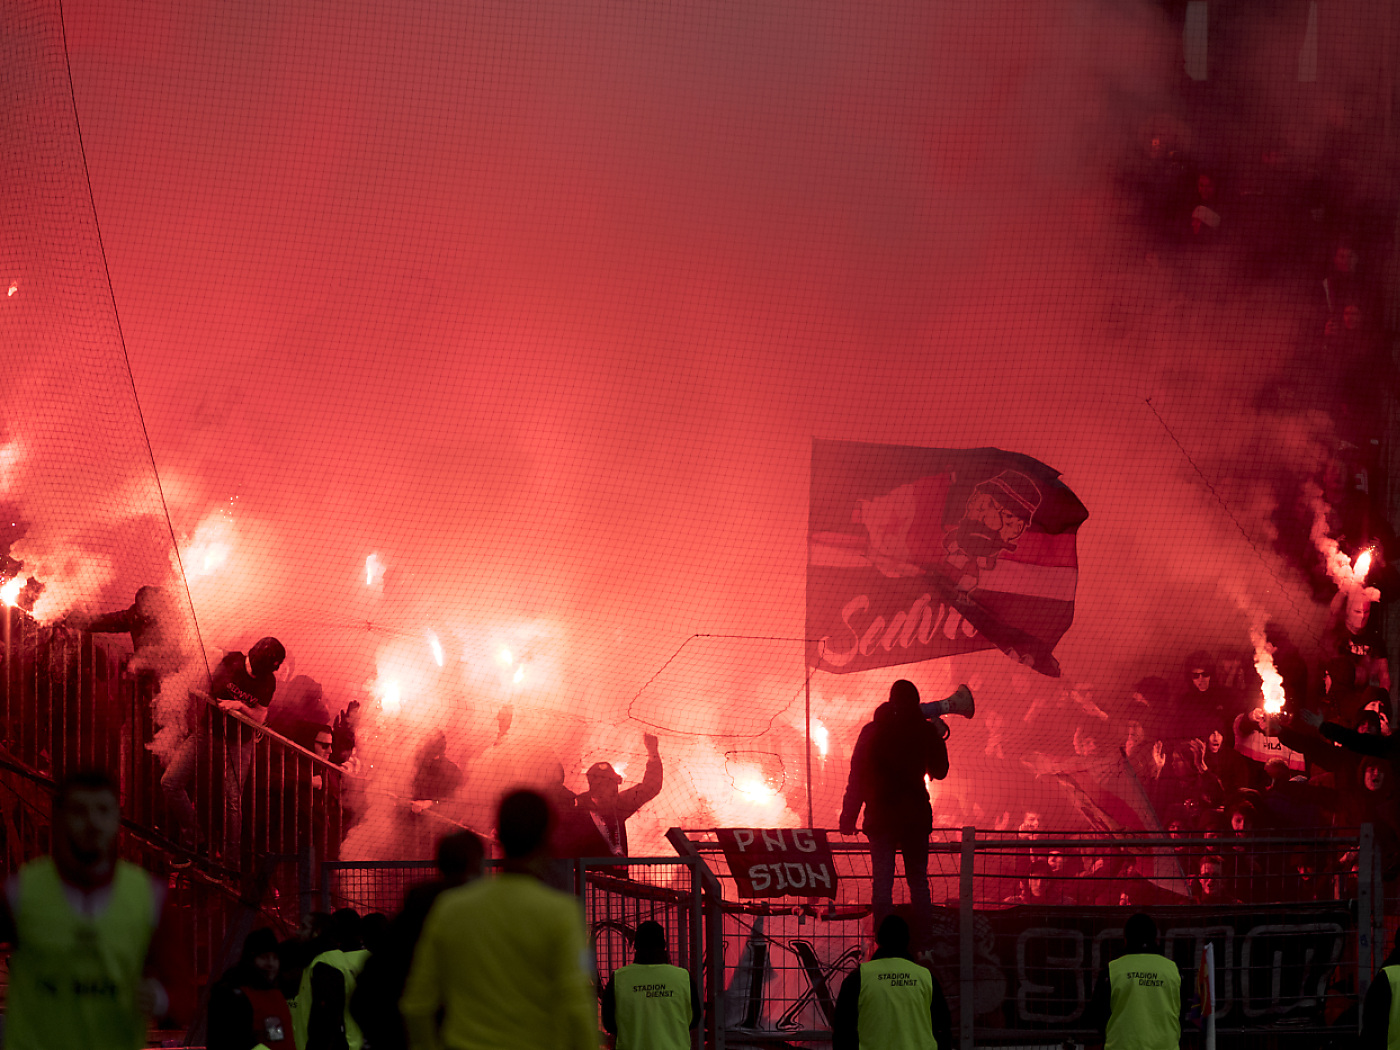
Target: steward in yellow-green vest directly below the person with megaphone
[891,1002]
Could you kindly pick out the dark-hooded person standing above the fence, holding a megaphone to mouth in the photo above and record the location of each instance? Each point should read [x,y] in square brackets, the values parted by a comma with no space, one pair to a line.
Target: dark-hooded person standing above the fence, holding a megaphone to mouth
[894,754]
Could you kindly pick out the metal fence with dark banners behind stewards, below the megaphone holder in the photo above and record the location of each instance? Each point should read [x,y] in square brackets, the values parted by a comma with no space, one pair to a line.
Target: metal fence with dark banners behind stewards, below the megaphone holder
[1296,923]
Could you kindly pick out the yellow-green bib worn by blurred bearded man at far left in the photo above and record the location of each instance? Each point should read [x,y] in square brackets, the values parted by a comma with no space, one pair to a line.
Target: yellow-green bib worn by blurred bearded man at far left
[73,981]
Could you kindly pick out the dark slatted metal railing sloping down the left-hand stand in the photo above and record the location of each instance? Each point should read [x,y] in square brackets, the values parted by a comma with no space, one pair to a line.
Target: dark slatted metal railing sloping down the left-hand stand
[232,792]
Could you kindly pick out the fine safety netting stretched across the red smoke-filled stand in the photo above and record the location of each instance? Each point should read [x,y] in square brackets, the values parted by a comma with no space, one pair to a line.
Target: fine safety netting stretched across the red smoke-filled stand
[477,353]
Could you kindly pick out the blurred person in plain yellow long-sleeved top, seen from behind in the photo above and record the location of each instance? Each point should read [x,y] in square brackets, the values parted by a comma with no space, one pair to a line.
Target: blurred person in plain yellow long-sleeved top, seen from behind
[505,960]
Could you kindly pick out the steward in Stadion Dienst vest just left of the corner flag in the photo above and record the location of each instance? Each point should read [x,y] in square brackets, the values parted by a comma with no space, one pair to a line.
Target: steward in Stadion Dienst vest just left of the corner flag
[1137,1003]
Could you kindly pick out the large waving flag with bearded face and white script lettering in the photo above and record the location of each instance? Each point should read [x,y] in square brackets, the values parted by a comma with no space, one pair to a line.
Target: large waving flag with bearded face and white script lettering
[918,554]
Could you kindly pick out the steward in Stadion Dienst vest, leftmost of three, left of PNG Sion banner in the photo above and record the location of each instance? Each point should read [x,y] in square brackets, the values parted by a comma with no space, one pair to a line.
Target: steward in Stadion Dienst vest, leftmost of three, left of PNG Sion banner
[650,1004]
